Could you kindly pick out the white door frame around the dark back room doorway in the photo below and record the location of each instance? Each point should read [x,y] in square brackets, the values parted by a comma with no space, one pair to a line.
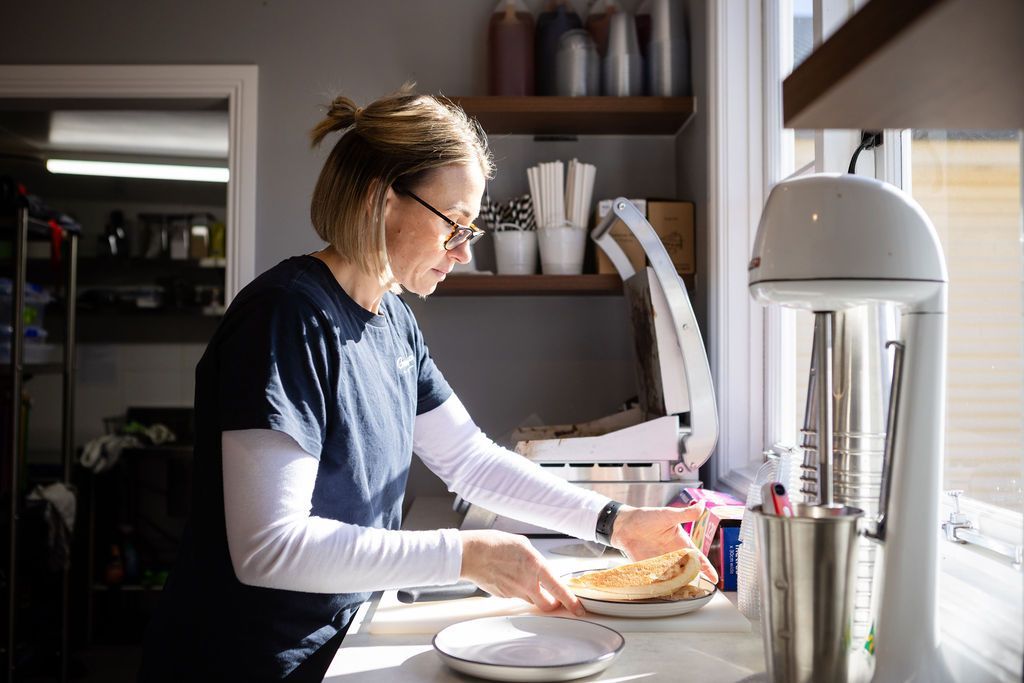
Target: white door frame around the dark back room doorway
[236,83]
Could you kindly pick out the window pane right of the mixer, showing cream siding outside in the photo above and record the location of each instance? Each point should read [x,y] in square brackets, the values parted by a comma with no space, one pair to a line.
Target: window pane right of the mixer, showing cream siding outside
[969,185]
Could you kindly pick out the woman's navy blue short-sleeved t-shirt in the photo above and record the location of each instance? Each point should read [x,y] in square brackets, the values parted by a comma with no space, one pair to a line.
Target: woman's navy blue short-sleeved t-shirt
[293,354]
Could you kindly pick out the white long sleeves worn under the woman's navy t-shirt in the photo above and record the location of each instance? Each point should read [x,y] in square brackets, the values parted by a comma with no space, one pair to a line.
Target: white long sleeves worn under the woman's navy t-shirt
[276,543]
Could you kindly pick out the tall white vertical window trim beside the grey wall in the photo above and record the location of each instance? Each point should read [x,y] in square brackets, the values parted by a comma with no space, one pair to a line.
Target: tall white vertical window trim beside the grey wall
[736,197]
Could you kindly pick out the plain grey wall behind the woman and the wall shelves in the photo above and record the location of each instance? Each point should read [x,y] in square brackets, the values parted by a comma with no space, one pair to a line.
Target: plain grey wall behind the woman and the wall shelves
[563,359]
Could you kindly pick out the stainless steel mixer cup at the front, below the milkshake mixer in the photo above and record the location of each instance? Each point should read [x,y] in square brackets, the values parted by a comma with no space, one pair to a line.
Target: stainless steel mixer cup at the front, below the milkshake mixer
[808,566]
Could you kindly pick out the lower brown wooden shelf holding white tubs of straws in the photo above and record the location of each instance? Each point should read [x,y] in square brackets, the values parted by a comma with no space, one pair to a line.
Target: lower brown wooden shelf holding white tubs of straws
[610,285]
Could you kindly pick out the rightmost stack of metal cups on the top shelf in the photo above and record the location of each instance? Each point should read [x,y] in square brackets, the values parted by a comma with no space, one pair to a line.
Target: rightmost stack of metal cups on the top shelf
[668,54]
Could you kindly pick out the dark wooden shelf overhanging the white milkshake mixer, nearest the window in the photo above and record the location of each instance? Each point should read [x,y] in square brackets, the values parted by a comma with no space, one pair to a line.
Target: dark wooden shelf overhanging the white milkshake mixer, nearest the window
[915,64]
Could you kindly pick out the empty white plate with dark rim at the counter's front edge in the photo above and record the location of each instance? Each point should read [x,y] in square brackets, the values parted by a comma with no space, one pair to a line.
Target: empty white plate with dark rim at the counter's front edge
[558,649]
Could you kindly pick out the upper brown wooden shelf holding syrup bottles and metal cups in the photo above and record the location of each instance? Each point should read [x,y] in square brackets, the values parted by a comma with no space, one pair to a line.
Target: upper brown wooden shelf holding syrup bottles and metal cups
[580,116]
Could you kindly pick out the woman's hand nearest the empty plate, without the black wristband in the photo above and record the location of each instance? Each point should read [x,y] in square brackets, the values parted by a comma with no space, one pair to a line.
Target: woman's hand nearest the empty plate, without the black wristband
[506,566]
